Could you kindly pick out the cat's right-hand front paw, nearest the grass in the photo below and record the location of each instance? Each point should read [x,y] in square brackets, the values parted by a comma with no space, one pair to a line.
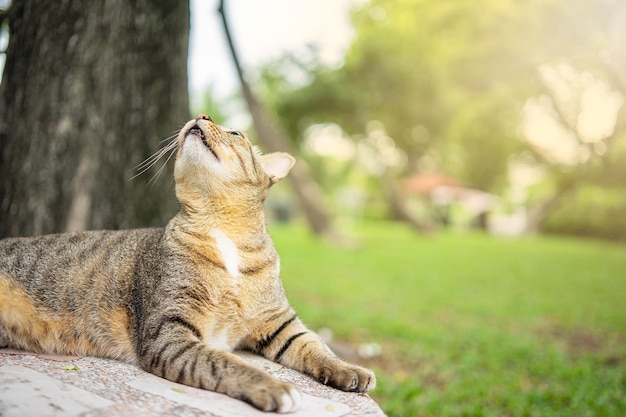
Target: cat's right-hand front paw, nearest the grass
[347,377]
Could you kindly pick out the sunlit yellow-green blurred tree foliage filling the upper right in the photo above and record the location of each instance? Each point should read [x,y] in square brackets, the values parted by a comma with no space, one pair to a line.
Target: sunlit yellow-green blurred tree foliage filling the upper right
[449,81]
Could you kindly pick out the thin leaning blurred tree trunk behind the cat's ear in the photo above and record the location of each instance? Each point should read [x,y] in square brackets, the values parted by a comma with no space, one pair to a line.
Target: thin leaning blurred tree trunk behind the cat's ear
[306,189]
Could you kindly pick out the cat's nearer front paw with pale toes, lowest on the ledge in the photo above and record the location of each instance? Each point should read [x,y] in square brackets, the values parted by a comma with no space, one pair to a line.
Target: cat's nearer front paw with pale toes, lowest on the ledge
[275,396]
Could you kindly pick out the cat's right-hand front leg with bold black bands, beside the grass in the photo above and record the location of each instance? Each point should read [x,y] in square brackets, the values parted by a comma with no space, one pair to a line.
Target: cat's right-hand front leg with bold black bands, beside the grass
[296,347]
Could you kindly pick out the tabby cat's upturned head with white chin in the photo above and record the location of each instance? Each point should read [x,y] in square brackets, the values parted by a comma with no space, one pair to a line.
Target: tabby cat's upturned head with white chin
[217,163]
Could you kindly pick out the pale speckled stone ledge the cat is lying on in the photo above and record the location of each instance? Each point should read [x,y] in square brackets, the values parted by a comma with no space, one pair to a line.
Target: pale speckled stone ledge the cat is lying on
[93,387]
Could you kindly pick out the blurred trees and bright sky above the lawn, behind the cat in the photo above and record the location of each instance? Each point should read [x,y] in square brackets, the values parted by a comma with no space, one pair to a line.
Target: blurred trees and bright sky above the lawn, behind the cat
[486,114]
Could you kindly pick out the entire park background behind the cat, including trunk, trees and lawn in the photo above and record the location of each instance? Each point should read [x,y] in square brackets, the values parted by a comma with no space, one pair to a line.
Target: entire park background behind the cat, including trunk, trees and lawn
[457,216]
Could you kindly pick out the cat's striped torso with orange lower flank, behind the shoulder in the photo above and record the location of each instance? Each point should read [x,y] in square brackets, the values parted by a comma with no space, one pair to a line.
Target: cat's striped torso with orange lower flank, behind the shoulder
[69,293]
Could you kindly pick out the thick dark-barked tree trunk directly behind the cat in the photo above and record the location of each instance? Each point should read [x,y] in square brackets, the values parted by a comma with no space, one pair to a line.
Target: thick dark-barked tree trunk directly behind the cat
[89,89]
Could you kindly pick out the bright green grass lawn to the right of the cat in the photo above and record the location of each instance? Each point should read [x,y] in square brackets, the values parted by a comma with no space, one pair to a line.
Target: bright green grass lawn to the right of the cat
[471,325]
